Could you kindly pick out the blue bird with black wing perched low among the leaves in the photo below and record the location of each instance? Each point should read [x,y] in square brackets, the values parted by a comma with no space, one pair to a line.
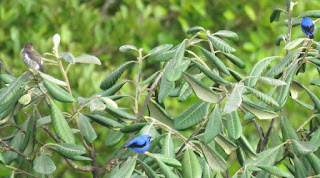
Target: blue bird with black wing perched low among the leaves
[140,144]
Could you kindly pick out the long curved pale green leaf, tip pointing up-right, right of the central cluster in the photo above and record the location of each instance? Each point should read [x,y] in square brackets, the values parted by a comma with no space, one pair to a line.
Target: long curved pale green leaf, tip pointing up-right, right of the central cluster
[257,70]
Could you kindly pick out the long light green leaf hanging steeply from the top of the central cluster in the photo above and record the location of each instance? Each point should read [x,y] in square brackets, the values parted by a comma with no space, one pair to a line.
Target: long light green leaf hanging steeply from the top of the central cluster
[174,71]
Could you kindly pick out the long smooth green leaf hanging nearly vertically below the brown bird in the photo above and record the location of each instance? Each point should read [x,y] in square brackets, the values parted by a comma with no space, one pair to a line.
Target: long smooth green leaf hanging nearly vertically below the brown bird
[60,125]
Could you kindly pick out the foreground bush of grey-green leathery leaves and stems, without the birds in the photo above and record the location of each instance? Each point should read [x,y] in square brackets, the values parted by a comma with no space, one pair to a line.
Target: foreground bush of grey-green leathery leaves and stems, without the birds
[38,131]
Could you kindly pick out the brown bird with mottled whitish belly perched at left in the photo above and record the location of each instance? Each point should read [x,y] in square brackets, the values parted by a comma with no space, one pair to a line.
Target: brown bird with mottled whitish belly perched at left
[31,57]
